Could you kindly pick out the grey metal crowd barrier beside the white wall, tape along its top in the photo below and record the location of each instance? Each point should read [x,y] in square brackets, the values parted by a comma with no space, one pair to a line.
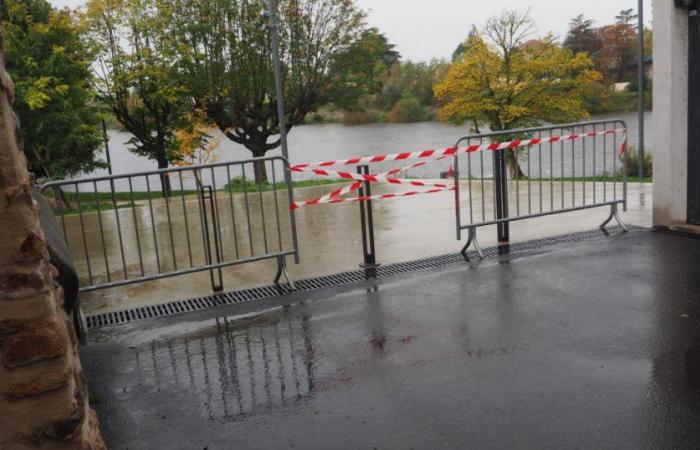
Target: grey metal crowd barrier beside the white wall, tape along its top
[579,171]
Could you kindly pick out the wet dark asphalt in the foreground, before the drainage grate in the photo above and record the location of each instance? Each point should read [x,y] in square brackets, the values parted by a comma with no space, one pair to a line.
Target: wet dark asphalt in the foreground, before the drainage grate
[587,344]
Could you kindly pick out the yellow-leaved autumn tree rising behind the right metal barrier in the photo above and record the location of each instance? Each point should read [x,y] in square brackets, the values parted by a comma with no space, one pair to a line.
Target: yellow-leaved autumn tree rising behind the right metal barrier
[506,81]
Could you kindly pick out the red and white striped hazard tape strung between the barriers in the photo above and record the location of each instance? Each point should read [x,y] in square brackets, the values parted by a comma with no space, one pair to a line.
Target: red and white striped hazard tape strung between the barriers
[429,155]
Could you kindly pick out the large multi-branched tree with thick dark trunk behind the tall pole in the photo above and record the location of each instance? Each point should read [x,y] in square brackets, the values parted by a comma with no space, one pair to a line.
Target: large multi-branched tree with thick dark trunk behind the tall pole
[225,52]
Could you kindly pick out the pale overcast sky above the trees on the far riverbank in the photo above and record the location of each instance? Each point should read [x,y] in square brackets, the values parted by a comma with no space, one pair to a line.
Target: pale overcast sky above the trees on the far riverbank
[425,29]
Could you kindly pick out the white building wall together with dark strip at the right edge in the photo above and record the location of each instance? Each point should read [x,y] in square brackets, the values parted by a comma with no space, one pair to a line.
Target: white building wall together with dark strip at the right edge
[676,141]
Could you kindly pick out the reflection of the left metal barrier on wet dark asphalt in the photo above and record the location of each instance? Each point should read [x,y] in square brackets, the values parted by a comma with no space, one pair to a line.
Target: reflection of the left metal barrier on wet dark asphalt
[237,368]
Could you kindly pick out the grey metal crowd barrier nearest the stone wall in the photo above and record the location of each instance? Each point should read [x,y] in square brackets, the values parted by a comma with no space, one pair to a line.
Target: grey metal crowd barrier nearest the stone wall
[130,228]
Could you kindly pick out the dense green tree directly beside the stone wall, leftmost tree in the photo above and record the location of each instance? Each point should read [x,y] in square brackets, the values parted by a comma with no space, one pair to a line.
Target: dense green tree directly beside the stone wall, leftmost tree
[51,71]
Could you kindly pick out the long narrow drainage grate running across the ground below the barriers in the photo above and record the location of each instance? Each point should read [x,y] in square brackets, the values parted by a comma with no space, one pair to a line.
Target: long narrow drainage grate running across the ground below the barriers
[260,293]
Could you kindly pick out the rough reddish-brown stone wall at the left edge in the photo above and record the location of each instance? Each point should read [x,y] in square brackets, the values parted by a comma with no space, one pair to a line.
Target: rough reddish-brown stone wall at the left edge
[43,393]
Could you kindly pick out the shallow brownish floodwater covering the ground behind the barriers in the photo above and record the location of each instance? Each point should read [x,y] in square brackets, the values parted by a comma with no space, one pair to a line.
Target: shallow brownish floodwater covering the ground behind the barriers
[405,229]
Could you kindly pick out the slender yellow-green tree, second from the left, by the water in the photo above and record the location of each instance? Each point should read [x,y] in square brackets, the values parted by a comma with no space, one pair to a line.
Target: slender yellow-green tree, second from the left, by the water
[137,74]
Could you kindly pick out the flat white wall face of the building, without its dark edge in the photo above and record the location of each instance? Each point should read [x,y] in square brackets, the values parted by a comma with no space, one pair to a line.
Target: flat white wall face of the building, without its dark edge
[670,141]
